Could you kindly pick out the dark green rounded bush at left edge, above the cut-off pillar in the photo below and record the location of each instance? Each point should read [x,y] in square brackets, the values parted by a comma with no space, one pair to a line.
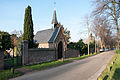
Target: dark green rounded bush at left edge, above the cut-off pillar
[5,41]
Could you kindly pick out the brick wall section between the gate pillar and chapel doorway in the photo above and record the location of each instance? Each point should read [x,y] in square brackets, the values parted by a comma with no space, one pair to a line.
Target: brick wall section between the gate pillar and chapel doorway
[40,55]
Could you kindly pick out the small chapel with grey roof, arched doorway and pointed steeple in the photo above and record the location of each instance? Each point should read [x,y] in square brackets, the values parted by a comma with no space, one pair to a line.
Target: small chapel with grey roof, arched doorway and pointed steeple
[52,38]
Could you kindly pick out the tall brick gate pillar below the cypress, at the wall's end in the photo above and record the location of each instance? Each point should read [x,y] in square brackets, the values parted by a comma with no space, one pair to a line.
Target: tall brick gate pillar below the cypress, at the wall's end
[24,52]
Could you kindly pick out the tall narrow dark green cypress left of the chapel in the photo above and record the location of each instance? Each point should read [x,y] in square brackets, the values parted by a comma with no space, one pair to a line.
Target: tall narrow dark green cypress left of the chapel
[28,27]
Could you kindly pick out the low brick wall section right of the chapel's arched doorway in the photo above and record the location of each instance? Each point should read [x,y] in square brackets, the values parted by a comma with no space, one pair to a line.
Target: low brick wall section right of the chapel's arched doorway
[70,53]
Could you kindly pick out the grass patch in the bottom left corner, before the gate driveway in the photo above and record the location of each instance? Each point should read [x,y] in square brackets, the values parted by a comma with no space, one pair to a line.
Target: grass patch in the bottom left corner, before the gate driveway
[7,74]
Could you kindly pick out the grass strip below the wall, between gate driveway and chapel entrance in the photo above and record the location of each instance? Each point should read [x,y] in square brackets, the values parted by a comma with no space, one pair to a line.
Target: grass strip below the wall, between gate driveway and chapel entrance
[46,65]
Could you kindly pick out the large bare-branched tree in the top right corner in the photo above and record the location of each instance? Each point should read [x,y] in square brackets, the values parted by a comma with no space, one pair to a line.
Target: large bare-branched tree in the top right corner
[110,9]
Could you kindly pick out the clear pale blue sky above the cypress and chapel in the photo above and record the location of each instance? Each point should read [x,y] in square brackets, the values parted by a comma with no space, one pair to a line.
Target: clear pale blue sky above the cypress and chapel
[70,13]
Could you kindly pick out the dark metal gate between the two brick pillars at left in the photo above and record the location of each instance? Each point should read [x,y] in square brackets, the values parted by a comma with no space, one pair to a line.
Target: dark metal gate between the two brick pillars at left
[14,59]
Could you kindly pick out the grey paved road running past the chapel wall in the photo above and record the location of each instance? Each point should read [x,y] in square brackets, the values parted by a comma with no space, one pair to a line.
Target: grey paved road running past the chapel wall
[85,69]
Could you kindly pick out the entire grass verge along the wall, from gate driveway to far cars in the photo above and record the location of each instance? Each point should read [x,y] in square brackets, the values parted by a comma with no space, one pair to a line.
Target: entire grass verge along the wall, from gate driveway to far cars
[54,63]
